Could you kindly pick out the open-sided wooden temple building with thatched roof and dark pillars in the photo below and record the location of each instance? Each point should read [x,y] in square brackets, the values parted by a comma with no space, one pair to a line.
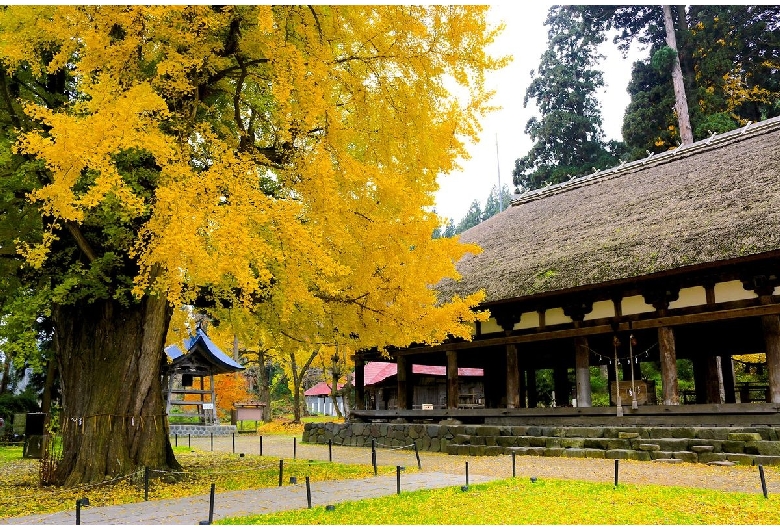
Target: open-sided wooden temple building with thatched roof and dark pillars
[675,256]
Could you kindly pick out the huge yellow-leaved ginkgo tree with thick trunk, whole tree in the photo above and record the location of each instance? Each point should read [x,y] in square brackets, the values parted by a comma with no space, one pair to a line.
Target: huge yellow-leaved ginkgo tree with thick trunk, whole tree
[278,159]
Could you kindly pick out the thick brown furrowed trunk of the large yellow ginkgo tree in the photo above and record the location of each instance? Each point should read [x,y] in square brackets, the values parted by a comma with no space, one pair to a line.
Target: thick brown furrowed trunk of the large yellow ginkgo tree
[113,414]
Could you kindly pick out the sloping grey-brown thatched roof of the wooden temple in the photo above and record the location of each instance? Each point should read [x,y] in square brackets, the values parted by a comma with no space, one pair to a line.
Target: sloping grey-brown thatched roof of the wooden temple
[717,199]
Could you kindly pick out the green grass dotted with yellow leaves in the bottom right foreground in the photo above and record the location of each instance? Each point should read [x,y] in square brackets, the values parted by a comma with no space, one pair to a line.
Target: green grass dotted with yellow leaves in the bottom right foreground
[548,501]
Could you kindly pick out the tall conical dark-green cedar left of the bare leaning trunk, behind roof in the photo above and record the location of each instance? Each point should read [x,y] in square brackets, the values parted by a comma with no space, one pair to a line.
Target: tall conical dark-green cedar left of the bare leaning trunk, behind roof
[568,137]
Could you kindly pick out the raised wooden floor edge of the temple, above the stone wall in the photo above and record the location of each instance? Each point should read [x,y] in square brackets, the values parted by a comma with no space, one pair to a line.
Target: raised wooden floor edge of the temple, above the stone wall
[723,415]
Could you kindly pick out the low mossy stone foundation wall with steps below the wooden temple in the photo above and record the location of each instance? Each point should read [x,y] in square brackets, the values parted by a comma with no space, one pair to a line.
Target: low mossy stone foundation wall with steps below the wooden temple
[724,445]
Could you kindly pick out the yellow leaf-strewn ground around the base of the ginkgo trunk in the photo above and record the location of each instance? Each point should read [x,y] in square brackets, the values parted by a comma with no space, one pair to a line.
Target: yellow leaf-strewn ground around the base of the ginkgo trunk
[22,494]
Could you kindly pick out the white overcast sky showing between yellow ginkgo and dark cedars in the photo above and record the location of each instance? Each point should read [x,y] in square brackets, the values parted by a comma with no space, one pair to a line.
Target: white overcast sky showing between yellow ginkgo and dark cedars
[525,38]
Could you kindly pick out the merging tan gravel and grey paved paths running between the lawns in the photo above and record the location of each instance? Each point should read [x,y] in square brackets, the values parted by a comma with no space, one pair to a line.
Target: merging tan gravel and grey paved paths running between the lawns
[438,470]
